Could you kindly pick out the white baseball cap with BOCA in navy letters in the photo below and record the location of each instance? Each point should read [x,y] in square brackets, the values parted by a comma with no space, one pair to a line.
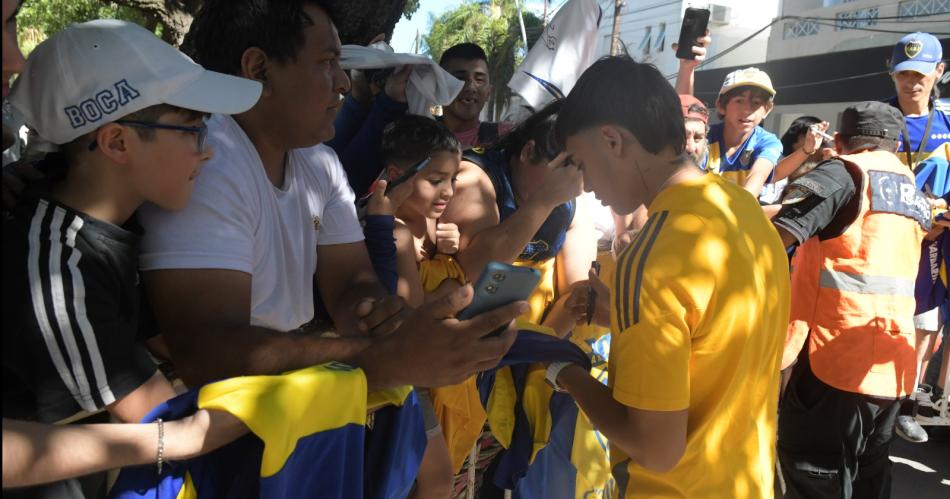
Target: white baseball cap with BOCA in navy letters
[94,73]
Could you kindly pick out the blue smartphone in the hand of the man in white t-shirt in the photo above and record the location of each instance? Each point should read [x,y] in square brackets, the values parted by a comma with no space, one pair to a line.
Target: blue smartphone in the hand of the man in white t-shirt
[499,285]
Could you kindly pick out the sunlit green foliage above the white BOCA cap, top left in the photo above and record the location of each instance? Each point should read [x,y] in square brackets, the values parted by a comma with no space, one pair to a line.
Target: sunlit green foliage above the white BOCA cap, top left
[39,19]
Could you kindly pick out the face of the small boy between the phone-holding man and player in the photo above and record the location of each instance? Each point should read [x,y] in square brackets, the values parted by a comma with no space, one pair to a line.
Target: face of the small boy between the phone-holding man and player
[434,185]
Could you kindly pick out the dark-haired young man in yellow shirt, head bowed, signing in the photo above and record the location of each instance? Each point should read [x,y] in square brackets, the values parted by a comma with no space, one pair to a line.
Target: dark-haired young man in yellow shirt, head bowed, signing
[699,302]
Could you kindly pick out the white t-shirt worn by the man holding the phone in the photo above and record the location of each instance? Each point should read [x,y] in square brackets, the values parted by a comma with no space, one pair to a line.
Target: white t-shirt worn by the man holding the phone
[237,220]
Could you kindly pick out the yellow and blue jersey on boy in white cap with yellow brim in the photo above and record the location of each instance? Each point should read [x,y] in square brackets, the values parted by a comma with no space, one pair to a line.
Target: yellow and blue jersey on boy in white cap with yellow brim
[760,144]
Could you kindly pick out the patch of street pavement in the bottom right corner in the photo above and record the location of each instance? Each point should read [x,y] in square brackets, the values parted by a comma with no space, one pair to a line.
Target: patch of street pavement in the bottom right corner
[922,471]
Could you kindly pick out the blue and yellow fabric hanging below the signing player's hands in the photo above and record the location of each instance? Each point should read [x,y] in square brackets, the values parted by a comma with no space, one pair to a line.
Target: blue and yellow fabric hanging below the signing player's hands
[551,449]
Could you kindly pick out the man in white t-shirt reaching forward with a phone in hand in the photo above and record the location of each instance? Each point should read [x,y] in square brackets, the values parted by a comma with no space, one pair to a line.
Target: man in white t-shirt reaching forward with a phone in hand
[230,275]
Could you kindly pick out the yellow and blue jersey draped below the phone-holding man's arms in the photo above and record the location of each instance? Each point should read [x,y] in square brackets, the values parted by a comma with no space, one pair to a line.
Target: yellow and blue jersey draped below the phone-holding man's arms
[308,438]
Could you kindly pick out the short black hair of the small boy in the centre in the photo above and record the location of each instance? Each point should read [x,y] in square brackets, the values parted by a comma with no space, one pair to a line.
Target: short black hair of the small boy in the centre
[413,138]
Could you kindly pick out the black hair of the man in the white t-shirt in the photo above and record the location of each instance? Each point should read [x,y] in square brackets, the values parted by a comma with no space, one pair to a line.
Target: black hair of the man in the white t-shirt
[223,29]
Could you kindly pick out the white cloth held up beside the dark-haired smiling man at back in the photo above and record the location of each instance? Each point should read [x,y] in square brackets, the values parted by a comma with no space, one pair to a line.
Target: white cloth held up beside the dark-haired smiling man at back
[429,84]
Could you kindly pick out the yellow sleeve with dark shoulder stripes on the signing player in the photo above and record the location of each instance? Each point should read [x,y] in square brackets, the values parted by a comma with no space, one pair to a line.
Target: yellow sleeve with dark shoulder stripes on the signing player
[660,289]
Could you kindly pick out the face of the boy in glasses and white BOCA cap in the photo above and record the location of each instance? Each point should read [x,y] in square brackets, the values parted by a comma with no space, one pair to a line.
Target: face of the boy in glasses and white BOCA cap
[165,167]
